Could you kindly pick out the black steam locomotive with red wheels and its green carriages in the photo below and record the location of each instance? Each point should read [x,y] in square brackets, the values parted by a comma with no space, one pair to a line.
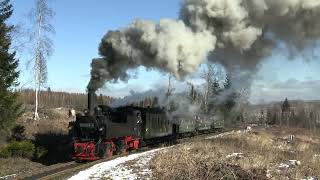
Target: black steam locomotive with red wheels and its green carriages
[103,131]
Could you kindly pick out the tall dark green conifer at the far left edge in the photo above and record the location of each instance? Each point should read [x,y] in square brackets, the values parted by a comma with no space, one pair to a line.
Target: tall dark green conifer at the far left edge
[9,108]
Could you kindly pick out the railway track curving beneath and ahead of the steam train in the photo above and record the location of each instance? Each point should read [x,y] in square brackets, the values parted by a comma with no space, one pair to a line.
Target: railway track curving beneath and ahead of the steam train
[56,171]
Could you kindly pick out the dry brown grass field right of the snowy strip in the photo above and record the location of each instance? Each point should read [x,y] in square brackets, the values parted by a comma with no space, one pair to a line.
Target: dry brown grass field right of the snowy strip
[263,152]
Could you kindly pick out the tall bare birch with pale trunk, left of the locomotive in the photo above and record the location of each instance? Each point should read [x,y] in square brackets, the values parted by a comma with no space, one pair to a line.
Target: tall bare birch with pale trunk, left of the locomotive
[41,17]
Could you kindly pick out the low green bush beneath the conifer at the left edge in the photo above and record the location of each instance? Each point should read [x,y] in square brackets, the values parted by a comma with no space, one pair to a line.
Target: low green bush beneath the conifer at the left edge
[25,149]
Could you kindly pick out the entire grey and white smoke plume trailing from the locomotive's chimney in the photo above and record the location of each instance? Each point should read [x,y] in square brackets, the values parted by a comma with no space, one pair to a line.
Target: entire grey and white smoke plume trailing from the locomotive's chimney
[233,33]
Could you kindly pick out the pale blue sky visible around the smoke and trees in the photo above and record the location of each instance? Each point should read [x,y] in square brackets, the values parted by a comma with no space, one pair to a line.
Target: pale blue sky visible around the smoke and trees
[80,25]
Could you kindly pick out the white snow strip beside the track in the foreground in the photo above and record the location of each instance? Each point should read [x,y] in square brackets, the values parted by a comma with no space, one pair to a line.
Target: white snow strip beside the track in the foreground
[135,166]
